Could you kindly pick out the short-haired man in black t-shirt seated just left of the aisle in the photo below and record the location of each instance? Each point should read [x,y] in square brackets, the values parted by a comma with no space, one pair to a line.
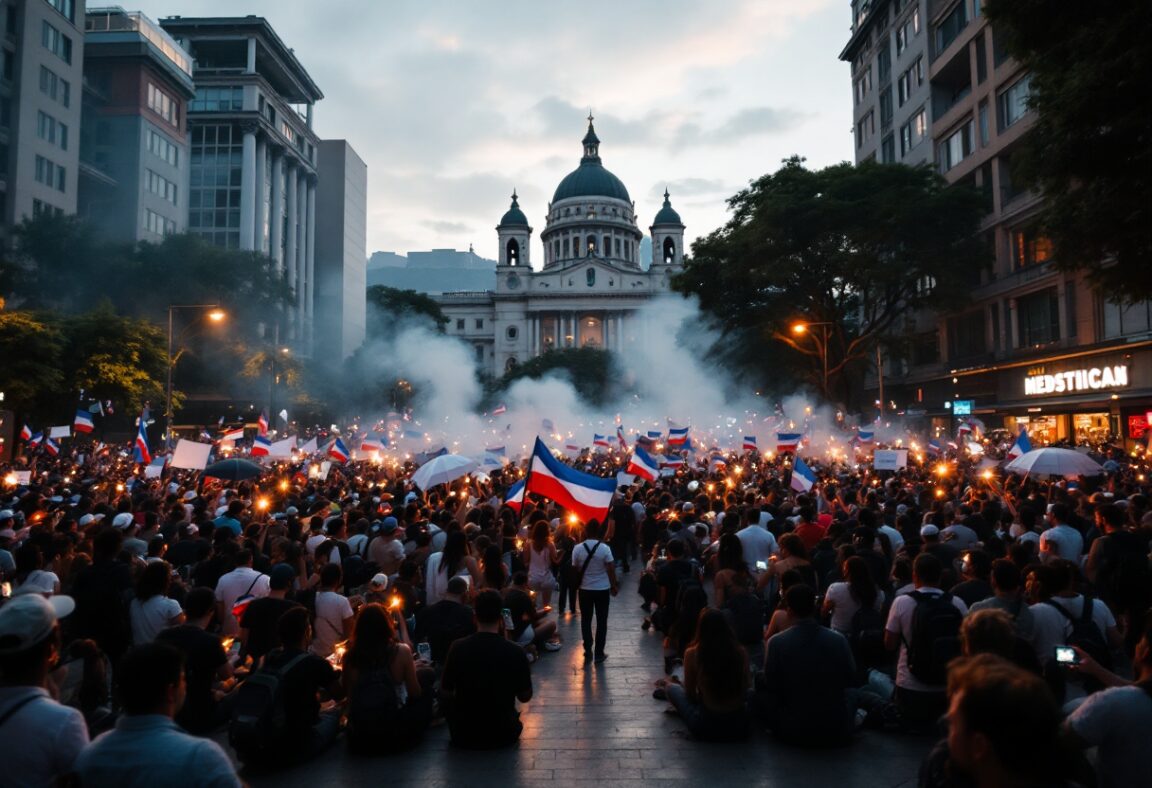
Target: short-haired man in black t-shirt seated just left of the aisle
[483,678]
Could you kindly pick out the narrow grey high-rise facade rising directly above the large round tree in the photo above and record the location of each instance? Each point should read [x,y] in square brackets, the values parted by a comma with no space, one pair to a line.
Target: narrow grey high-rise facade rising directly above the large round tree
[892,103]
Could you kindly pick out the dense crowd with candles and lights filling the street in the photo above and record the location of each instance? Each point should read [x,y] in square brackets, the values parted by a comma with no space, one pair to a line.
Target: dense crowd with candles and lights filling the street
[143,618]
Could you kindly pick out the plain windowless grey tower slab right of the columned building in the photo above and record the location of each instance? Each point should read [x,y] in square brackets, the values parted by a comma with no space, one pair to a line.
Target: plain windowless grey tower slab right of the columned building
[342,251]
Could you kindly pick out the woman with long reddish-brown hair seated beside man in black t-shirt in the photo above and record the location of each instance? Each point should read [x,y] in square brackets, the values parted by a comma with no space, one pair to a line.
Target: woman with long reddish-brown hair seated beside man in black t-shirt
[390,699]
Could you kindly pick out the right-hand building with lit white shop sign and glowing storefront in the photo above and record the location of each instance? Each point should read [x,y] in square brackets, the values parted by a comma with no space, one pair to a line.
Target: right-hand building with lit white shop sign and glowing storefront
[1035,346]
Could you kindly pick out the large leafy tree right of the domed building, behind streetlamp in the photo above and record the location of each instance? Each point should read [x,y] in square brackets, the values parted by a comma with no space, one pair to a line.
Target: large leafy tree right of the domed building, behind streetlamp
[857,248]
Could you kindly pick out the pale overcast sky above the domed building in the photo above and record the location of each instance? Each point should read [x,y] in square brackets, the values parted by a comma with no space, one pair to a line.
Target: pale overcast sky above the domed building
[454,103]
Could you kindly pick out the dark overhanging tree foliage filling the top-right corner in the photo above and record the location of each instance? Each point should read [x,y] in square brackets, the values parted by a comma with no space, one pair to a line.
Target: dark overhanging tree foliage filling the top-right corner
[1090,151]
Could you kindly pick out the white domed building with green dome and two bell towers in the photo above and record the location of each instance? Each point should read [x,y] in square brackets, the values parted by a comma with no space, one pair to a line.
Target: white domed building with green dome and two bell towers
[592,283]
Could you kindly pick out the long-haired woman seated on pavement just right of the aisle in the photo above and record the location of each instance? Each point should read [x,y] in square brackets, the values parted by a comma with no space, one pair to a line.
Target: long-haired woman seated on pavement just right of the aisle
[713,701]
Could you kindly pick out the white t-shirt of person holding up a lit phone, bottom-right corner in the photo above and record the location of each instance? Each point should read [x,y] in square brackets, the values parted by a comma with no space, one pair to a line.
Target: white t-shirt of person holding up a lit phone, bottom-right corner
[1117,722]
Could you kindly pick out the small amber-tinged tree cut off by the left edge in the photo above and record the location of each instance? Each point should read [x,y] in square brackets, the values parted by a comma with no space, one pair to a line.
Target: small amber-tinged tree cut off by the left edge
[32,351]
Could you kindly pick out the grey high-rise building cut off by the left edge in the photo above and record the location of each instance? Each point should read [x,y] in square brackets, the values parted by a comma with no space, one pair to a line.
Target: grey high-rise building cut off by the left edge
[42,57]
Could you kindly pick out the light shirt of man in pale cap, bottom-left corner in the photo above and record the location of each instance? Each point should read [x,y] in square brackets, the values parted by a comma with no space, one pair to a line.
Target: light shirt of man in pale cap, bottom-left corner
[42,740]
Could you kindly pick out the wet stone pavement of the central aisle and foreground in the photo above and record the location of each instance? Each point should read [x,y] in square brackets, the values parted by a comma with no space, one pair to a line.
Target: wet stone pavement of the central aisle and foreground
[600,725]
